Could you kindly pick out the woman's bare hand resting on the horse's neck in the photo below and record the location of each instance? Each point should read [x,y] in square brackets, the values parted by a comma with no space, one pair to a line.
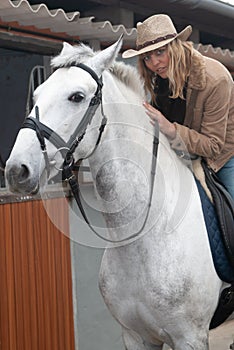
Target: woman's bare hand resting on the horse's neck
[166,127]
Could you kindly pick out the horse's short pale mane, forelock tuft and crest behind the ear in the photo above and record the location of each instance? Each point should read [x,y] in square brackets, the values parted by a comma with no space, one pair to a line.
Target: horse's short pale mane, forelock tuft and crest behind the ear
[81,53]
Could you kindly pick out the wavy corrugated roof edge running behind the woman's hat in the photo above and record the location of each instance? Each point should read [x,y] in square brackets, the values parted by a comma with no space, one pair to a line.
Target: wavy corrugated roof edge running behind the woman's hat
[85,28]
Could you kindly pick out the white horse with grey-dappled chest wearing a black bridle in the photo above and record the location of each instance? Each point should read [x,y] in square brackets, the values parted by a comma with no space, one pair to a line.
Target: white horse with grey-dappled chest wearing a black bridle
[161,285]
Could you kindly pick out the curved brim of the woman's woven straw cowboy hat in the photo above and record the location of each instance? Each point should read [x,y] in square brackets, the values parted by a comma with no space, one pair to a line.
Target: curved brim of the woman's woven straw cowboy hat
[183,35]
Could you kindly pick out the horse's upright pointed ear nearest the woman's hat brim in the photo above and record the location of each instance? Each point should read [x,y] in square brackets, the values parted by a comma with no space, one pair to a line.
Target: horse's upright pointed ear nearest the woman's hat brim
[104,59]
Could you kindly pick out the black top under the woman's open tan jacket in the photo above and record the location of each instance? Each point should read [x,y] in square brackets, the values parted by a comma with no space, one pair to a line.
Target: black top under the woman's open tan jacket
[172,108]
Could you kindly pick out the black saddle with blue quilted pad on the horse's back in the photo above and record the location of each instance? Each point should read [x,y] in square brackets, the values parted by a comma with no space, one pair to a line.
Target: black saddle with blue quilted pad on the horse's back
[221,240]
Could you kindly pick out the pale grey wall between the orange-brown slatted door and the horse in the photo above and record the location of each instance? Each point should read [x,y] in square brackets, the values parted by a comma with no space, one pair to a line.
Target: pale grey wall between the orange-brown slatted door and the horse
[95,328]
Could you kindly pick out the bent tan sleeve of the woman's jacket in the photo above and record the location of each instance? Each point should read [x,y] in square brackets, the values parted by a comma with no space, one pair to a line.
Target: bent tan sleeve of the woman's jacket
[209,140]
